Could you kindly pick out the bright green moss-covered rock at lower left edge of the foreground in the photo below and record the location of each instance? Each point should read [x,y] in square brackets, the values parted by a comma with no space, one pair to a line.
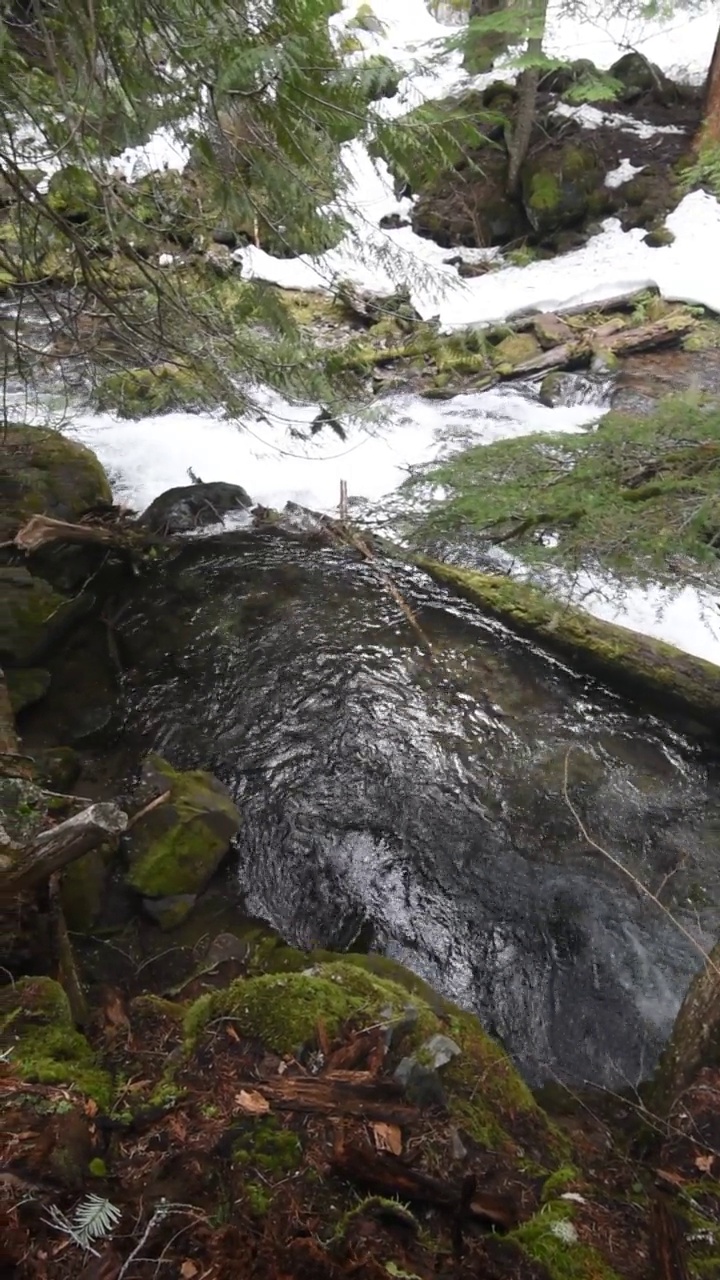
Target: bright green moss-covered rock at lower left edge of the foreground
[37,1027]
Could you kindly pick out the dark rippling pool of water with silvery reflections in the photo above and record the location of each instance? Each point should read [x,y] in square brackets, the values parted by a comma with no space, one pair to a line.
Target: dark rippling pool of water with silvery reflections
[425,802]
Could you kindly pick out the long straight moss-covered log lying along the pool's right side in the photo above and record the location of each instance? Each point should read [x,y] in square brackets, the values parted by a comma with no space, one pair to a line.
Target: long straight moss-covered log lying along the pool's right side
[651,671]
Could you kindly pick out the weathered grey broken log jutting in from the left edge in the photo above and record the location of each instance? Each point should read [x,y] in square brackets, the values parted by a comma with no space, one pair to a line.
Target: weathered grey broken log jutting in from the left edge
[56,849]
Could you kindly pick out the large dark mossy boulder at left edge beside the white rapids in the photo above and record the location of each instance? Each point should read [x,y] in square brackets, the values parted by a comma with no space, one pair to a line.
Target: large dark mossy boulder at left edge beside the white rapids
[44,473]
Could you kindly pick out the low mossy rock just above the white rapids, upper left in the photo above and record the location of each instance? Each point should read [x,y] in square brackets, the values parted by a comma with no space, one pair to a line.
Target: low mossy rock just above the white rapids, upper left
[145,392]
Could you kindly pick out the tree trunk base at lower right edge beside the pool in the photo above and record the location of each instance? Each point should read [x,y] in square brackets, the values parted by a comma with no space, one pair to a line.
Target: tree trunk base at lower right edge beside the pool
[696,1037]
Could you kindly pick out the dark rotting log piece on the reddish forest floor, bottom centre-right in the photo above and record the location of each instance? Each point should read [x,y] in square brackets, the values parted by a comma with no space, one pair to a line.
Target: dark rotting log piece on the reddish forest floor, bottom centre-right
[389,1176]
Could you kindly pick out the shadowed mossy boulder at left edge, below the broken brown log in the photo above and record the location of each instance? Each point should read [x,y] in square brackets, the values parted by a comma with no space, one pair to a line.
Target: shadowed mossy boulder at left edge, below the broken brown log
[33,616]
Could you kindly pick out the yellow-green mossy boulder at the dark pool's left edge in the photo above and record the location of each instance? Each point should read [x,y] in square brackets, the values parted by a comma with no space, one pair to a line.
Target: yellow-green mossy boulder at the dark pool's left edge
[176,848]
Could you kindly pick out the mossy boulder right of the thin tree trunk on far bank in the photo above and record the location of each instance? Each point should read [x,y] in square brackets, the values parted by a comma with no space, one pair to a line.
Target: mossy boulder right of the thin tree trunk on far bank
[564,185]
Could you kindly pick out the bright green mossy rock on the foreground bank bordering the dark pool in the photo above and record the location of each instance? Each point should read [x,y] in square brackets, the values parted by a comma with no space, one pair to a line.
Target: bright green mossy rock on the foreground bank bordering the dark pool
[284,1012]
